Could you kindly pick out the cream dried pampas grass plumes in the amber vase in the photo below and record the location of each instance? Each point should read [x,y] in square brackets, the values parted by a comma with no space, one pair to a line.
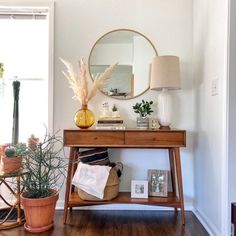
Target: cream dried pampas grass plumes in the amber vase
[79,83]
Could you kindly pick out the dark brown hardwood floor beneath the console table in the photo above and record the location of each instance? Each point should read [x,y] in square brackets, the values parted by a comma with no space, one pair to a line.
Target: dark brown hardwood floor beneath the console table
[120,223]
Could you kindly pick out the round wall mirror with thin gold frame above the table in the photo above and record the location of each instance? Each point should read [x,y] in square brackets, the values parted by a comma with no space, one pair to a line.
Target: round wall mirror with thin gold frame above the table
[133,52]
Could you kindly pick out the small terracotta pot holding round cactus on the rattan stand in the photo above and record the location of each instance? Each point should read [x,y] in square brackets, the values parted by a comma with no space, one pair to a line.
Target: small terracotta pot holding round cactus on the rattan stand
[11,164]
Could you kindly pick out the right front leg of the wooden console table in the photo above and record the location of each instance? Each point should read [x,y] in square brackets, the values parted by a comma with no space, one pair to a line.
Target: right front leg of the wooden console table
[179,181]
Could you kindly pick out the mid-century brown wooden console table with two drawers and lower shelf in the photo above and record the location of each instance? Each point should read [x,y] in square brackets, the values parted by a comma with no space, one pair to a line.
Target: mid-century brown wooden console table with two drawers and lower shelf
[171,140]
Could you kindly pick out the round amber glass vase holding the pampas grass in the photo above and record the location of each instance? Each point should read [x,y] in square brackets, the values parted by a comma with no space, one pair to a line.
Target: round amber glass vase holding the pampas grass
[84,118]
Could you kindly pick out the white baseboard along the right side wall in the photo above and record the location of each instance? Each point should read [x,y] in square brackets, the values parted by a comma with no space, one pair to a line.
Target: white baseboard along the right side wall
[206,222]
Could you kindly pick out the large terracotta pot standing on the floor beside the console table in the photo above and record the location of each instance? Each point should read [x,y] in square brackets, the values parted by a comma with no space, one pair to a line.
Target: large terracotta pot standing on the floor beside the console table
[39,212]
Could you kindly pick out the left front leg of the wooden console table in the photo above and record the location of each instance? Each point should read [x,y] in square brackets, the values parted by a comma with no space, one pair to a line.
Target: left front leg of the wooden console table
[68,181]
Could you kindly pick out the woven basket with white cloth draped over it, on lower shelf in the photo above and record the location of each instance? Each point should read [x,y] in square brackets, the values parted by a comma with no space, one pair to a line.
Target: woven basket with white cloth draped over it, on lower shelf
[111,190]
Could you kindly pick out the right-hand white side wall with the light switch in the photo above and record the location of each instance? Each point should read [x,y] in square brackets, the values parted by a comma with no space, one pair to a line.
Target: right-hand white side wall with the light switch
[210,61]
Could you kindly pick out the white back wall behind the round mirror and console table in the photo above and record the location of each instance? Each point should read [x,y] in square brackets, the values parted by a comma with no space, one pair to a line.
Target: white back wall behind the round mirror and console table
[78,24]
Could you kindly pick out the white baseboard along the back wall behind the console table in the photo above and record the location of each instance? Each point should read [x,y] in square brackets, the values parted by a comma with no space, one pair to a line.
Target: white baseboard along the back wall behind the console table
[130,207]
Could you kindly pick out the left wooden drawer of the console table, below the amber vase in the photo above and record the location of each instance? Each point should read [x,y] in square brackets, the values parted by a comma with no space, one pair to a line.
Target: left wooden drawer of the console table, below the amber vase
[93,138]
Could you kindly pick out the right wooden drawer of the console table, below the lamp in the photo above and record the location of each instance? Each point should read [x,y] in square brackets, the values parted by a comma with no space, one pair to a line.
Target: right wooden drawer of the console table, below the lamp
[155,139]
